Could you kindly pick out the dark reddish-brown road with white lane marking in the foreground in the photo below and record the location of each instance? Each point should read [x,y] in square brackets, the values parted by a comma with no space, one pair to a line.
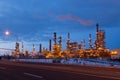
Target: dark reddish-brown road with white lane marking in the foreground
[28,71]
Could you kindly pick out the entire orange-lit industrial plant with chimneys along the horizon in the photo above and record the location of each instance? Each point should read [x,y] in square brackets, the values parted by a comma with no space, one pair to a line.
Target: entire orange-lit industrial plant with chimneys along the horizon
[73,49]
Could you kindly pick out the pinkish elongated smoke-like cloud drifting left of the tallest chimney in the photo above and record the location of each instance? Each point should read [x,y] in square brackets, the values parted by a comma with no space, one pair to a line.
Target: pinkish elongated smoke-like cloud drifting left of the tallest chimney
[74,18]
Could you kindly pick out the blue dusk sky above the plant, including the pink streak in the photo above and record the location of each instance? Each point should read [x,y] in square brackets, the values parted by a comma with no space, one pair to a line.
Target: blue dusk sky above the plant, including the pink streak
[34,21]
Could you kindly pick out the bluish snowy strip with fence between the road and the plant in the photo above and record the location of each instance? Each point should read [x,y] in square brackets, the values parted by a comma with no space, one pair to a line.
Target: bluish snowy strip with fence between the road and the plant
[73,61]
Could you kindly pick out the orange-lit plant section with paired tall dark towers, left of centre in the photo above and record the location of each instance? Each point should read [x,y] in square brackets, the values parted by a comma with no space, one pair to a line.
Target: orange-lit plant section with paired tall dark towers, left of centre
[55,50]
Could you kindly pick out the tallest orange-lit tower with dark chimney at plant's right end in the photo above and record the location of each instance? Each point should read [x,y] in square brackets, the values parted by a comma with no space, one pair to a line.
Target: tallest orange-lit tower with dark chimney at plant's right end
[100,47]
